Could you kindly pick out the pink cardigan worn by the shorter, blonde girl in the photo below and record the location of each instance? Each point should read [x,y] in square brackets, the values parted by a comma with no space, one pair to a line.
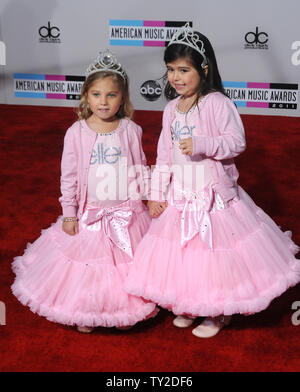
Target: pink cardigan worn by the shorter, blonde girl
[78,146]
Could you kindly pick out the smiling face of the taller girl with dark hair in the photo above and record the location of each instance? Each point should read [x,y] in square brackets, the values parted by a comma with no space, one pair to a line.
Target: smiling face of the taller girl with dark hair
[183,77]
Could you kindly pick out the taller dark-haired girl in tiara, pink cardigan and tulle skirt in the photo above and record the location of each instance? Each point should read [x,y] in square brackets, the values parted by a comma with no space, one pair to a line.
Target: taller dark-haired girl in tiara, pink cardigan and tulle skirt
[210,252]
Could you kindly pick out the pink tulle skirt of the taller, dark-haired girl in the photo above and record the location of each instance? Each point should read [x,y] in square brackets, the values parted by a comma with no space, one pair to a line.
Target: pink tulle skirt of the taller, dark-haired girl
[251,263]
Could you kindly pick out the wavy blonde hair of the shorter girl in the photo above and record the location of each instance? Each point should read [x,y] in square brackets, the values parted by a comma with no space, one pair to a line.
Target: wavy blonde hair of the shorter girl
[126,108]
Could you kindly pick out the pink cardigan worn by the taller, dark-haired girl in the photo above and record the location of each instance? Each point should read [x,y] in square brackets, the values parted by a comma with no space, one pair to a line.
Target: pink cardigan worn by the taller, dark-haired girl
[219,136]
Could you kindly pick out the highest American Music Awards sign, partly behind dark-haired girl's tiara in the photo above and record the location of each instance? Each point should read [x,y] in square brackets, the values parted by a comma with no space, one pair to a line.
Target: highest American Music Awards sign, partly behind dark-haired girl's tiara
[142,32]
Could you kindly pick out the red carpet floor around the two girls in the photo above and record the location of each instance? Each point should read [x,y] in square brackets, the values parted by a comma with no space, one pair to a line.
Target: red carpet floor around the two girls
[31,146]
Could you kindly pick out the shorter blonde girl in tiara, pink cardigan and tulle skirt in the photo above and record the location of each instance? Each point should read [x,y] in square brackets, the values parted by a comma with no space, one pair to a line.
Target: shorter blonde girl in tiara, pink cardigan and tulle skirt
[74,272]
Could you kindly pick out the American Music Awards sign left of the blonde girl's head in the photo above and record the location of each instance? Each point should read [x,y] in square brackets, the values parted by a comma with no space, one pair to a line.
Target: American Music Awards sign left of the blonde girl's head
[47,86]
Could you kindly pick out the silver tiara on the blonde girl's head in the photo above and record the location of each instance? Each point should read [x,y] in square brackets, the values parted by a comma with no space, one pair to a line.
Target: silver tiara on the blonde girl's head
[106,62]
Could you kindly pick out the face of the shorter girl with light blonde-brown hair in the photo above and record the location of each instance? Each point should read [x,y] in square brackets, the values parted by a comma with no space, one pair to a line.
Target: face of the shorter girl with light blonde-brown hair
[105,98]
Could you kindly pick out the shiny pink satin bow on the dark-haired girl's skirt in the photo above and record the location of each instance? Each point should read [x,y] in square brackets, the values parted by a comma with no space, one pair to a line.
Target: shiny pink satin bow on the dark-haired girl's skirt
[195,218]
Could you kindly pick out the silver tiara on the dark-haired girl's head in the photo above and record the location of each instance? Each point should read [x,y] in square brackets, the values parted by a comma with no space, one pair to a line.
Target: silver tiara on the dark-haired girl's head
[185,36]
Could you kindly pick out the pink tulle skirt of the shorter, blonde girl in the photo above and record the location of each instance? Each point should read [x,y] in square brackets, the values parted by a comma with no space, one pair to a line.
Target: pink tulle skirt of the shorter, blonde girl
[79,280]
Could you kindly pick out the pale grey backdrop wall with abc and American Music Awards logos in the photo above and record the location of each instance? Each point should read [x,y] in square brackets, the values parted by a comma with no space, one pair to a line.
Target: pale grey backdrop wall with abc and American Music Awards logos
[47,45]
